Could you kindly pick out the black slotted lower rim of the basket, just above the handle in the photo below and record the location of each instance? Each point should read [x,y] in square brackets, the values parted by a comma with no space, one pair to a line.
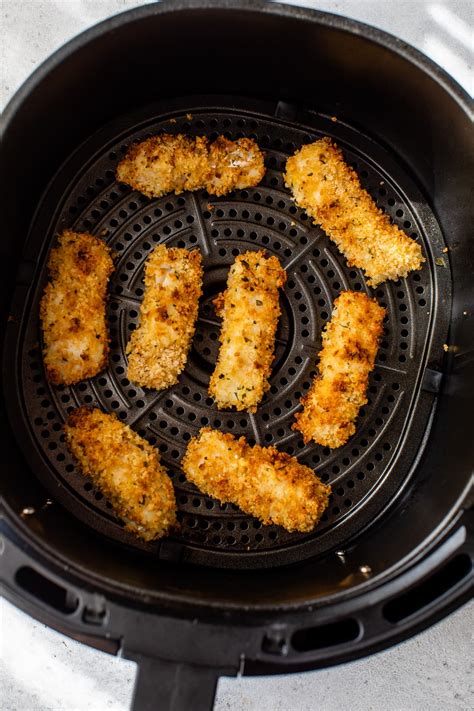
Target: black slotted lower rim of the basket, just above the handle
[119,634]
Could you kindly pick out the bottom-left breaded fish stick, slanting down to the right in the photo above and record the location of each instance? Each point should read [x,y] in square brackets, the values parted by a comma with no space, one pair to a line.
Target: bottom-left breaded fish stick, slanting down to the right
[126,469]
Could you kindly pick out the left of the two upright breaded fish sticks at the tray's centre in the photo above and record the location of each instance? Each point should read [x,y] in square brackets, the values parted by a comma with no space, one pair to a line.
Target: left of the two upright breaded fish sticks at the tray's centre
[158,349]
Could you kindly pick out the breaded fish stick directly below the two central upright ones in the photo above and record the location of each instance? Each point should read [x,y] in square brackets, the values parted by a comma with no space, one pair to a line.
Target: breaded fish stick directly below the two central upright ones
[262,481]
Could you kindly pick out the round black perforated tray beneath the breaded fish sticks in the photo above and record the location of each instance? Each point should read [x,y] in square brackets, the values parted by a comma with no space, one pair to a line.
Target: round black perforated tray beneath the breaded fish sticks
[376,462]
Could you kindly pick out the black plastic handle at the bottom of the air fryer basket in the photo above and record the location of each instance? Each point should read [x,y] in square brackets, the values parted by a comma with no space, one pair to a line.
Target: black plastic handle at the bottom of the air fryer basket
[172,686]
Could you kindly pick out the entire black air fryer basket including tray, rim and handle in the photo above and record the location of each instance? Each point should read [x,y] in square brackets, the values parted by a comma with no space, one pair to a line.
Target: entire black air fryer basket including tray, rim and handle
[393,554]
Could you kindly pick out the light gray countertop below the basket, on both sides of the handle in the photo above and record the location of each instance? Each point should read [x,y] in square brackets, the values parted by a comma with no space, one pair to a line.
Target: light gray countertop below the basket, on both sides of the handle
[41,670]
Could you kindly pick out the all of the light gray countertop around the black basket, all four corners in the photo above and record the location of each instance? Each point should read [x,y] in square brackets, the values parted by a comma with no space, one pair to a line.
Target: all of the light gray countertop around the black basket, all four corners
[40,670]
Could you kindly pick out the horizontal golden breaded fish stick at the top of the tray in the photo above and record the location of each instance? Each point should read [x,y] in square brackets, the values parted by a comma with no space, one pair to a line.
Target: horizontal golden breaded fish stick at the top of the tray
[168,163]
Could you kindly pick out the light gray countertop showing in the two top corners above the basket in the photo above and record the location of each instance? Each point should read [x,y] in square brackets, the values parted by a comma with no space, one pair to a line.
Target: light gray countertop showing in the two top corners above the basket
[32,29]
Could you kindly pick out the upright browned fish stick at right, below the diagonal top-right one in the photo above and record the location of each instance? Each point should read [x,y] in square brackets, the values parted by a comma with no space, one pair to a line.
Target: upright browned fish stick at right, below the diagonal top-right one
[350,343]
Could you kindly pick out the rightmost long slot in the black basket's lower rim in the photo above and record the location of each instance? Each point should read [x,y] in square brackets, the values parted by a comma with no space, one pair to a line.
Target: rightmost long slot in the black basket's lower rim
[429,590]
